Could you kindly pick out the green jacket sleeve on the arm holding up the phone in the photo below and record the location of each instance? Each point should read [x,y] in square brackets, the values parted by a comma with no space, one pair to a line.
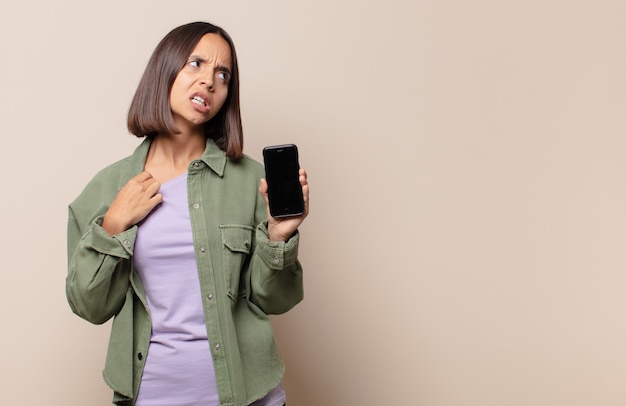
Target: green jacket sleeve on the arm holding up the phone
[275,274]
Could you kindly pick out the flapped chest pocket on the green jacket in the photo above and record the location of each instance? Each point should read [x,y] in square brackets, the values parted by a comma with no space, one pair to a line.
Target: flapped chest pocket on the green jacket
[237,245]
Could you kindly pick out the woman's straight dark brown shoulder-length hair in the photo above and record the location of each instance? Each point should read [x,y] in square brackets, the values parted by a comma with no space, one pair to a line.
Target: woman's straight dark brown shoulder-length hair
[150,112]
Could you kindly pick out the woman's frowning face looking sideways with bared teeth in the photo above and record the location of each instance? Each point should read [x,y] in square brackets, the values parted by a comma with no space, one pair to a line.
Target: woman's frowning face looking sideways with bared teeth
[201,87]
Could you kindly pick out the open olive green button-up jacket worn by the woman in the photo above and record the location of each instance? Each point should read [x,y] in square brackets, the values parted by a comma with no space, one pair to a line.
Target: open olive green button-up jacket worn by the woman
[243,276]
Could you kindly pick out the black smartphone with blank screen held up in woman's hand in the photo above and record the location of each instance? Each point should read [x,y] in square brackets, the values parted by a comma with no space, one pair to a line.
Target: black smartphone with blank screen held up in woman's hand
[283,185]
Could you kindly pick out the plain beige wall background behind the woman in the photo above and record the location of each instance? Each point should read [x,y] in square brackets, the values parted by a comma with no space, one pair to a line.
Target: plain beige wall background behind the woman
[465,245]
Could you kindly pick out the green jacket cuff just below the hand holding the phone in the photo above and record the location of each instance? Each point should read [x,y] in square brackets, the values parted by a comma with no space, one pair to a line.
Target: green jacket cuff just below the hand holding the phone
[276,254]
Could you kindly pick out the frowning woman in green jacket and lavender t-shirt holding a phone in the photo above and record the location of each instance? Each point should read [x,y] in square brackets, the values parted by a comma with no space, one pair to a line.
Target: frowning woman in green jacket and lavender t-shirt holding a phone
[176,241]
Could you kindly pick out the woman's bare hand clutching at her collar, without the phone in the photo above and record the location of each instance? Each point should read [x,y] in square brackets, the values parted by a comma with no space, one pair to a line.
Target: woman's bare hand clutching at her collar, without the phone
[132,204]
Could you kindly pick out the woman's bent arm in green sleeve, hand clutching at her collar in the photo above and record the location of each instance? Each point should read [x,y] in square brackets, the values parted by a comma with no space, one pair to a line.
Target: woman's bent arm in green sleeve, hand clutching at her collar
[100,250]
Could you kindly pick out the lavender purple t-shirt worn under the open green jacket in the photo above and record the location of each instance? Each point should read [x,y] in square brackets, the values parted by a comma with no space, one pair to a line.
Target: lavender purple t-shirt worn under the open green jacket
[179,367]
